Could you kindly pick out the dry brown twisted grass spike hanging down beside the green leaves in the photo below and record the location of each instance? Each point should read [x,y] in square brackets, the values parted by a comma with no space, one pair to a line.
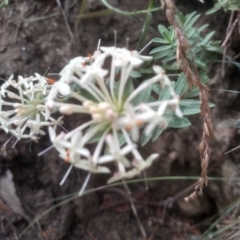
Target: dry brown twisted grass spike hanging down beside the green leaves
[186,62]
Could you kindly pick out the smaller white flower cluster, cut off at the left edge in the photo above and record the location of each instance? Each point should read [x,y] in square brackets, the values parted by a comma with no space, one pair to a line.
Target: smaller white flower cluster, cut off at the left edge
[23,111]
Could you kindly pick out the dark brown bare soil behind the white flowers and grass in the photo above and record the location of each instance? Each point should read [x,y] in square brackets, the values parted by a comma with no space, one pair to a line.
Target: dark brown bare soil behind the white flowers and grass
[33,37]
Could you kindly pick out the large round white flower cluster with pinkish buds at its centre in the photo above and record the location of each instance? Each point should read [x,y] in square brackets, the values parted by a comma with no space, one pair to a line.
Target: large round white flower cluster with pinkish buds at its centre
[115,120]
